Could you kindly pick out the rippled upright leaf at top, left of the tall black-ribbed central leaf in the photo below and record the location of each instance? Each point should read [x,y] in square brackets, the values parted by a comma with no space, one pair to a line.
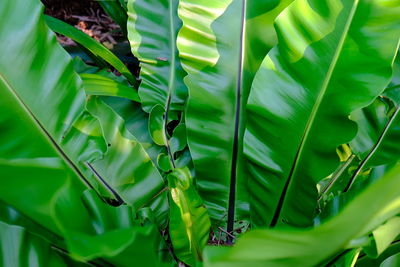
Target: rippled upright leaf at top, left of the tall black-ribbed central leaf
[152,30]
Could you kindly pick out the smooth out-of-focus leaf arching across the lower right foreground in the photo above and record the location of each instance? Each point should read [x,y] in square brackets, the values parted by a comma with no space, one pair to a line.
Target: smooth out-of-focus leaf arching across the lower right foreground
[312,247]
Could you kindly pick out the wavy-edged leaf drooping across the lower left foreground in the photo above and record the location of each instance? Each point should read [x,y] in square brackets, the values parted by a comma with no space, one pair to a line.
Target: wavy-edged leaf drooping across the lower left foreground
[43,190]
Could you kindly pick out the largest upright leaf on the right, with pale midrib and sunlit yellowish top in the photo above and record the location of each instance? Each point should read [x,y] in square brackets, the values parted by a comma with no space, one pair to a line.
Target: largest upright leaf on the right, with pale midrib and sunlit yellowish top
[300,99]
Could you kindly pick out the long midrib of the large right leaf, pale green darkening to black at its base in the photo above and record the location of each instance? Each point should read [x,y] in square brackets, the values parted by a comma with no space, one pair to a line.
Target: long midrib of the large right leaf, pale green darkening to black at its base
[314,111]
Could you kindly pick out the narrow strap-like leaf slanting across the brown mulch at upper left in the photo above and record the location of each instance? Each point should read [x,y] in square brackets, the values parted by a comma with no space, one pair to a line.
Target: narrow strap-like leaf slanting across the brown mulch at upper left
[92,45]
